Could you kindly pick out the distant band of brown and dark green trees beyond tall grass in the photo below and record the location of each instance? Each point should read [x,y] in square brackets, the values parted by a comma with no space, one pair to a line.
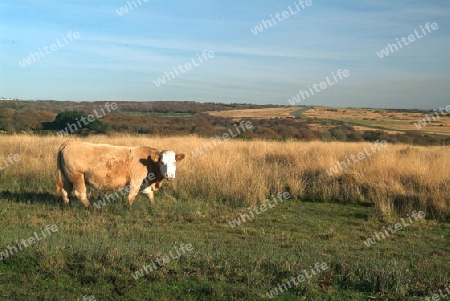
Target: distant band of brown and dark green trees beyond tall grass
[173,118]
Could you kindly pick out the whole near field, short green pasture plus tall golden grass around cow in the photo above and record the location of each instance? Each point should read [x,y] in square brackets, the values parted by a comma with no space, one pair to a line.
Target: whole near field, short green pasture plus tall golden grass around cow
[327,220]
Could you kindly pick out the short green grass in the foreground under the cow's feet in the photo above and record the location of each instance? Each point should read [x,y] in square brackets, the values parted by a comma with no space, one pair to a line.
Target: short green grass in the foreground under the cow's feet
[95,253]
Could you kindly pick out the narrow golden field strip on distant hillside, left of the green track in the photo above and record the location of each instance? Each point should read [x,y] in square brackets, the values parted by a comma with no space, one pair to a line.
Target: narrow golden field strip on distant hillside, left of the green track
[265,113]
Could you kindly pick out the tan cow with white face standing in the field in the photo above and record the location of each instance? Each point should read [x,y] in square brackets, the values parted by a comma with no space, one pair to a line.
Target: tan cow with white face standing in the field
[109,167]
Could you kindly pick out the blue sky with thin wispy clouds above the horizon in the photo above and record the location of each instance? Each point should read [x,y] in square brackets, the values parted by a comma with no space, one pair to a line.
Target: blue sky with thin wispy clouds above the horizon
[116,50]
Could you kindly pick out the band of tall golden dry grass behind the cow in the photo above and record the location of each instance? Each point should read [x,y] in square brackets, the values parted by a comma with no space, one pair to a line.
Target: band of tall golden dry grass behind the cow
[396,180]
